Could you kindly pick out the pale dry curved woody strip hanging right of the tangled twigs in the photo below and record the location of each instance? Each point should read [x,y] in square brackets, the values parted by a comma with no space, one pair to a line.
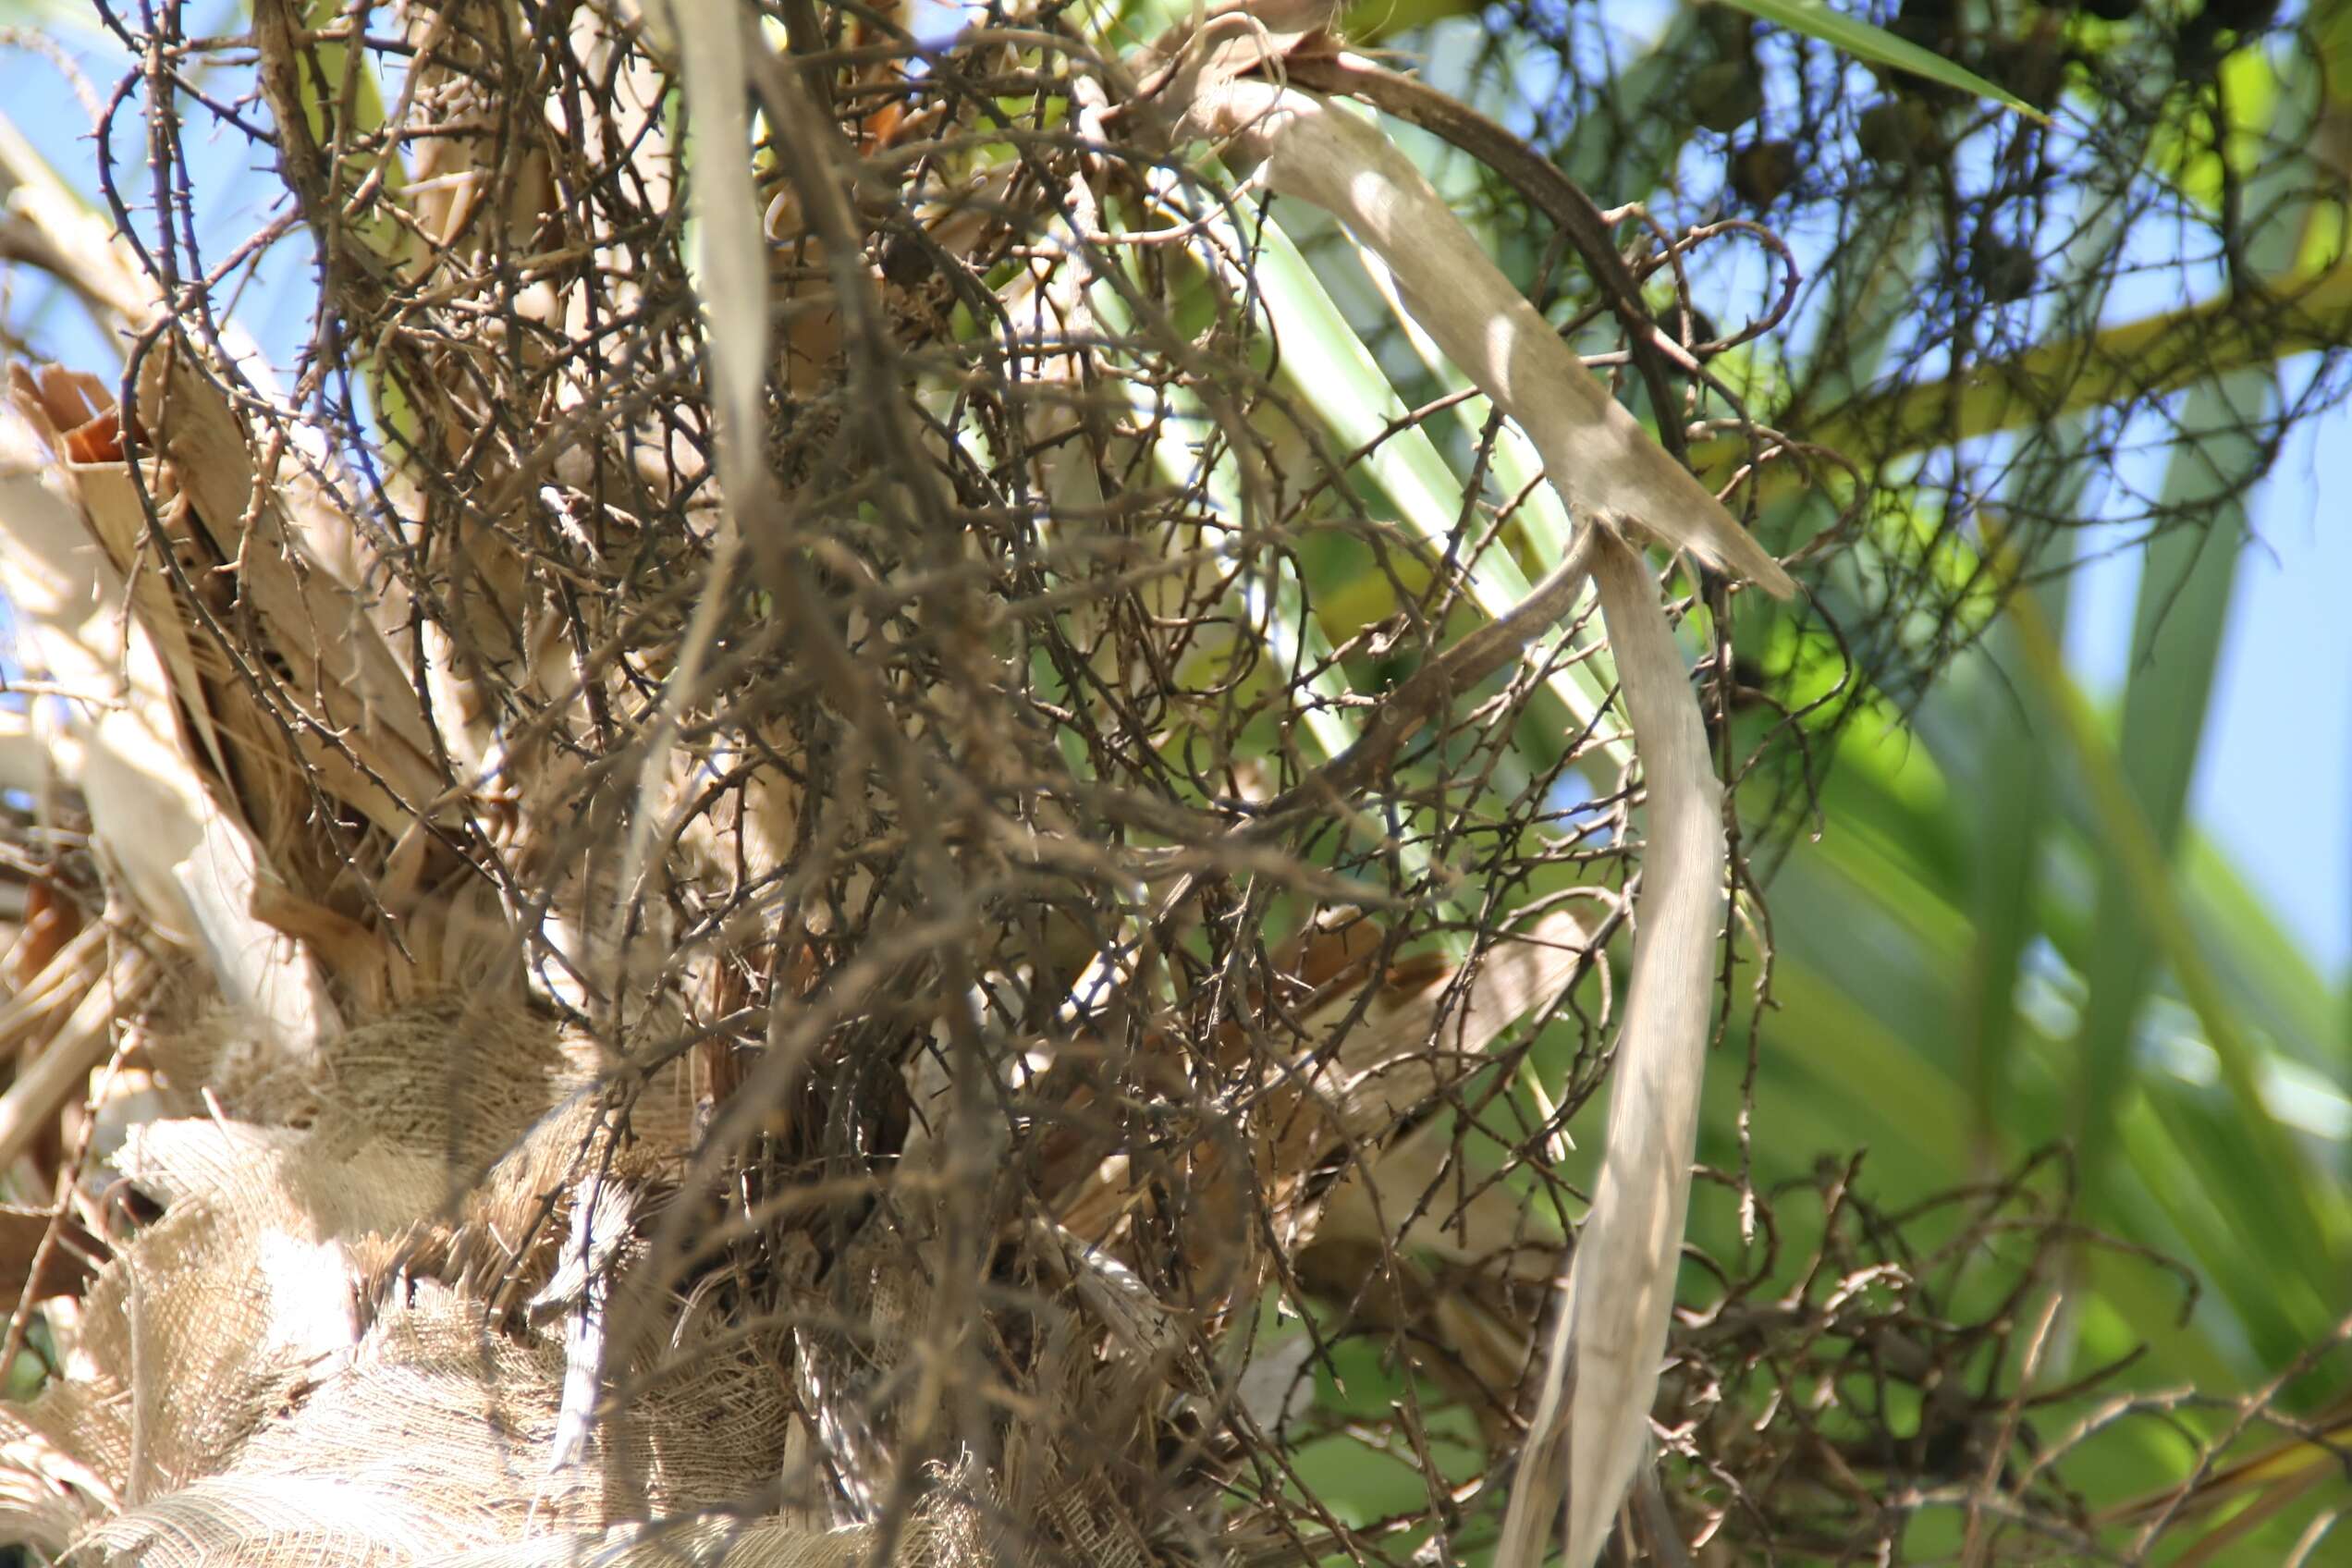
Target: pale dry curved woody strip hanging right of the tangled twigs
[1603,1372]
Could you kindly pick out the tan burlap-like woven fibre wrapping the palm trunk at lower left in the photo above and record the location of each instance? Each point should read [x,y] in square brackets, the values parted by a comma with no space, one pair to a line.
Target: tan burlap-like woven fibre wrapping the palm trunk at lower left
[253,1388]
